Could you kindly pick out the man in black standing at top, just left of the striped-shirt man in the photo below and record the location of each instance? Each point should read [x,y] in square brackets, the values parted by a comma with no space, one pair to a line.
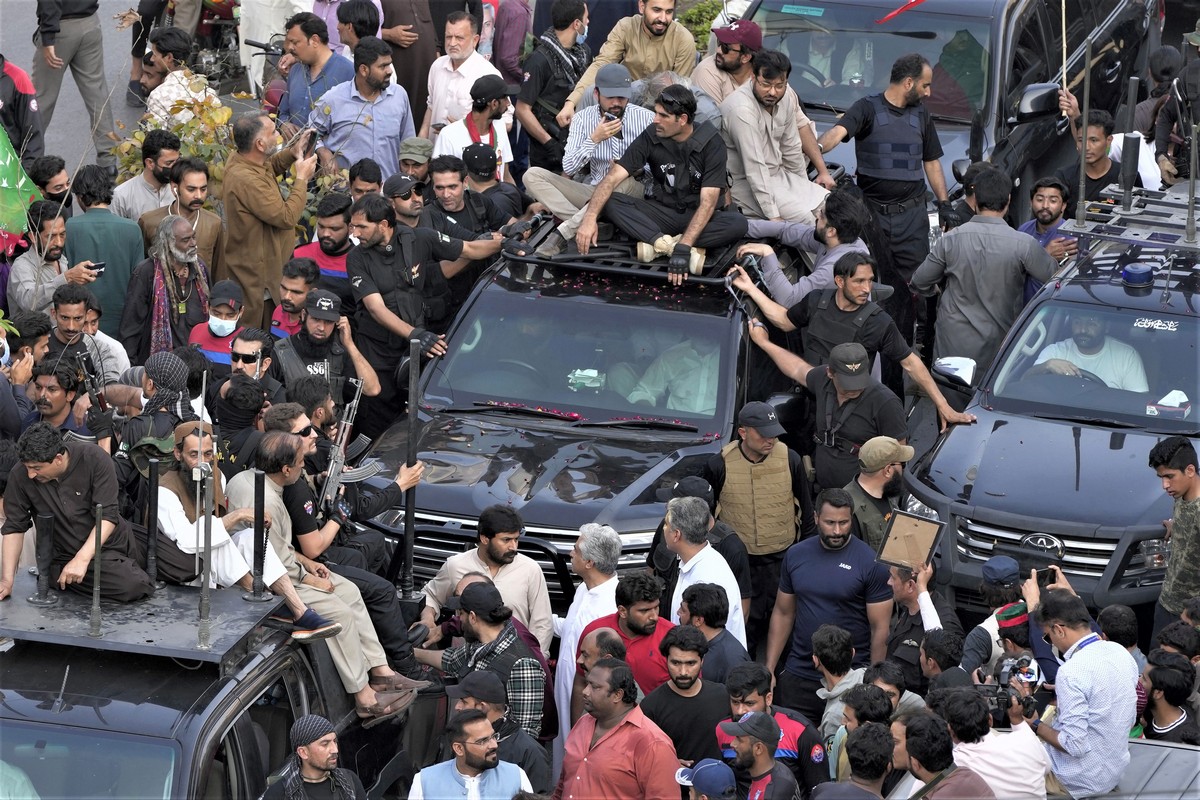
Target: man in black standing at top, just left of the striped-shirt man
[551,73]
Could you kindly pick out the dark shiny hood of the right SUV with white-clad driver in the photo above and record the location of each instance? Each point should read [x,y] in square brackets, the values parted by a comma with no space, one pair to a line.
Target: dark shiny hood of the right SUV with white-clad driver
[1036,468]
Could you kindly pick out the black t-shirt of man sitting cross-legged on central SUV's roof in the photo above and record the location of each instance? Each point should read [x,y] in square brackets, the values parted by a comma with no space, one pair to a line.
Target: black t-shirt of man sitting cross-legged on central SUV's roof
[680,170]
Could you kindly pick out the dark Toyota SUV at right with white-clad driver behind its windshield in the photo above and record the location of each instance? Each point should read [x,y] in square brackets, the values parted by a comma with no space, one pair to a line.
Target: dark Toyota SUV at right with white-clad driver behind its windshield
[1055,470]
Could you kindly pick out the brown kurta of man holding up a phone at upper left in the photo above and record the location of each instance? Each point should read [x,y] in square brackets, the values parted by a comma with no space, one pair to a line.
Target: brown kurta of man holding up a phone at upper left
[261,230]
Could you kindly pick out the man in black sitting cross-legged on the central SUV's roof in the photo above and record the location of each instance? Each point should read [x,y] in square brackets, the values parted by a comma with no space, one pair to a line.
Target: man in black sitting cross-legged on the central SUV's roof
[688,166]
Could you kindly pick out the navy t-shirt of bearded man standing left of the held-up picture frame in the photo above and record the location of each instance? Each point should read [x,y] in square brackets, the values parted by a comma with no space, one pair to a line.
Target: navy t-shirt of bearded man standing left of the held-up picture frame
[832,587]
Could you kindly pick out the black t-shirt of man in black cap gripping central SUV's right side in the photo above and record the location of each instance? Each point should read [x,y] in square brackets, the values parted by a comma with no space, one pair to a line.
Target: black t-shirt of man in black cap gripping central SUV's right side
[875,413]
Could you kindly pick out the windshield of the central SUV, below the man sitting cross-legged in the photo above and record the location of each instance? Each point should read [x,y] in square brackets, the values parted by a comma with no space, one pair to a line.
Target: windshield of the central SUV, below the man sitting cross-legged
[596,348]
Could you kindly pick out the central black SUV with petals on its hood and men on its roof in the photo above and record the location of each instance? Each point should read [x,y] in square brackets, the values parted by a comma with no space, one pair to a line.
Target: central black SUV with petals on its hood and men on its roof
[531,407]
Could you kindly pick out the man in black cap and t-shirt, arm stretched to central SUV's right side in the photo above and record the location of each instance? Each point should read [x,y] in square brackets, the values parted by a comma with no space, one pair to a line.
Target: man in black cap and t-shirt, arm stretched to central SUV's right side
[850,406]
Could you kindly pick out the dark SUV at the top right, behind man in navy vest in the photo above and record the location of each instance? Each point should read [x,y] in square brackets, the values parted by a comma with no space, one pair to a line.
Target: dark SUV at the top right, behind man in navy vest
[987,57]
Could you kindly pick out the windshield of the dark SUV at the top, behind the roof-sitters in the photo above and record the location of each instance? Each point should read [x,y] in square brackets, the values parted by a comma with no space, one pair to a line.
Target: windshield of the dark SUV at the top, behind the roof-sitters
[842,52]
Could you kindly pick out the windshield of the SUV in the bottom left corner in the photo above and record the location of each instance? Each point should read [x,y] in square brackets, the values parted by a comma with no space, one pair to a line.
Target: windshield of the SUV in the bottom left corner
[53,762]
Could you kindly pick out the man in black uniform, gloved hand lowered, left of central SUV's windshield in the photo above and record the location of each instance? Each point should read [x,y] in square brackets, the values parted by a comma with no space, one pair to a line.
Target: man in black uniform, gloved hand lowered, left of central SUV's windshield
[389,274]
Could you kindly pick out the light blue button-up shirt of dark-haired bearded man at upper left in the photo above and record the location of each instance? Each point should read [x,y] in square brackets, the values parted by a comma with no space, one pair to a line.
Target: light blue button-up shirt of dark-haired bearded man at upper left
[356,129]
